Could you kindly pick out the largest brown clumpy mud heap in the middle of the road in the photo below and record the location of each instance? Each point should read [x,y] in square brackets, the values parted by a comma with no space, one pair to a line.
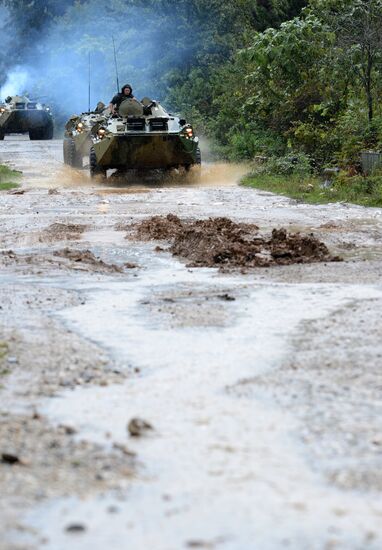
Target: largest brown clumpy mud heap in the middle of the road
[220,242]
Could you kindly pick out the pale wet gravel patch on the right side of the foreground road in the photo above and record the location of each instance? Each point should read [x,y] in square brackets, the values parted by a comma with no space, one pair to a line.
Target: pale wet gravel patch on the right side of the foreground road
[332,384]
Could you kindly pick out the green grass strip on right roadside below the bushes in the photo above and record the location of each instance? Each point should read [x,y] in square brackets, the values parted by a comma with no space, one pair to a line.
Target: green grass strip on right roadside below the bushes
[366,191]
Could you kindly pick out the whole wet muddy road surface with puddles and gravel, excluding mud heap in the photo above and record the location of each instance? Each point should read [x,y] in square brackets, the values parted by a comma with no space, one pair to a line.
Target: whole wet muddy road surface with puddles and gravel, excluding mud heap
[146,404]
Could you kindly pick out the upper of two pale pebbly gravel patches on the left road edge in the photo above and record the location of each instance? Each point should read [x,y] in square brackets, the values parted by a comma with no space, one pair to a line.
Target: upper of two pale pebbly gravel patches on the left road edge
[42,356]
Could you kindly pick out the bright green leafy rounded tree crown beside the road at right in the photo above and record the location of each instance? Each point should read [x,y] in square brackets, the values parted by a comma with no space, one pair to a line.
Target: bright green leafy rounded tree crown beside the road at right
[290,81]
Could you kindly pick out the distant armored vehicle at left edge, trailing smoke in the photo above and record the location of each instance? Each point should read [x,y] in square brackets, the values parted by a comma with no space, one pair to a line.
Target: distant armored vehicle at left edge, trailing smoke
[21,115]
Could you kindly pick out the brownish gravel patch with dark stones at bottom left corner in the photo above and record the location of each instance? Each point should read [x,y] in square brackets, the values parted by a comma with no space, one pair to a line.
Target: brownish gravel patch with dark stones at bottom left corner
[40,462]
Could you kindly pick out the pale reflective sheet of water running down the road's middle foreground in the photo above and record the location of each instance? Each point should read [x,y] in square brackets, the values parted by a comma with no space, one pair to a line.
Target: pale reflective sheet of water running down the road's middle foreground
[211,454]
